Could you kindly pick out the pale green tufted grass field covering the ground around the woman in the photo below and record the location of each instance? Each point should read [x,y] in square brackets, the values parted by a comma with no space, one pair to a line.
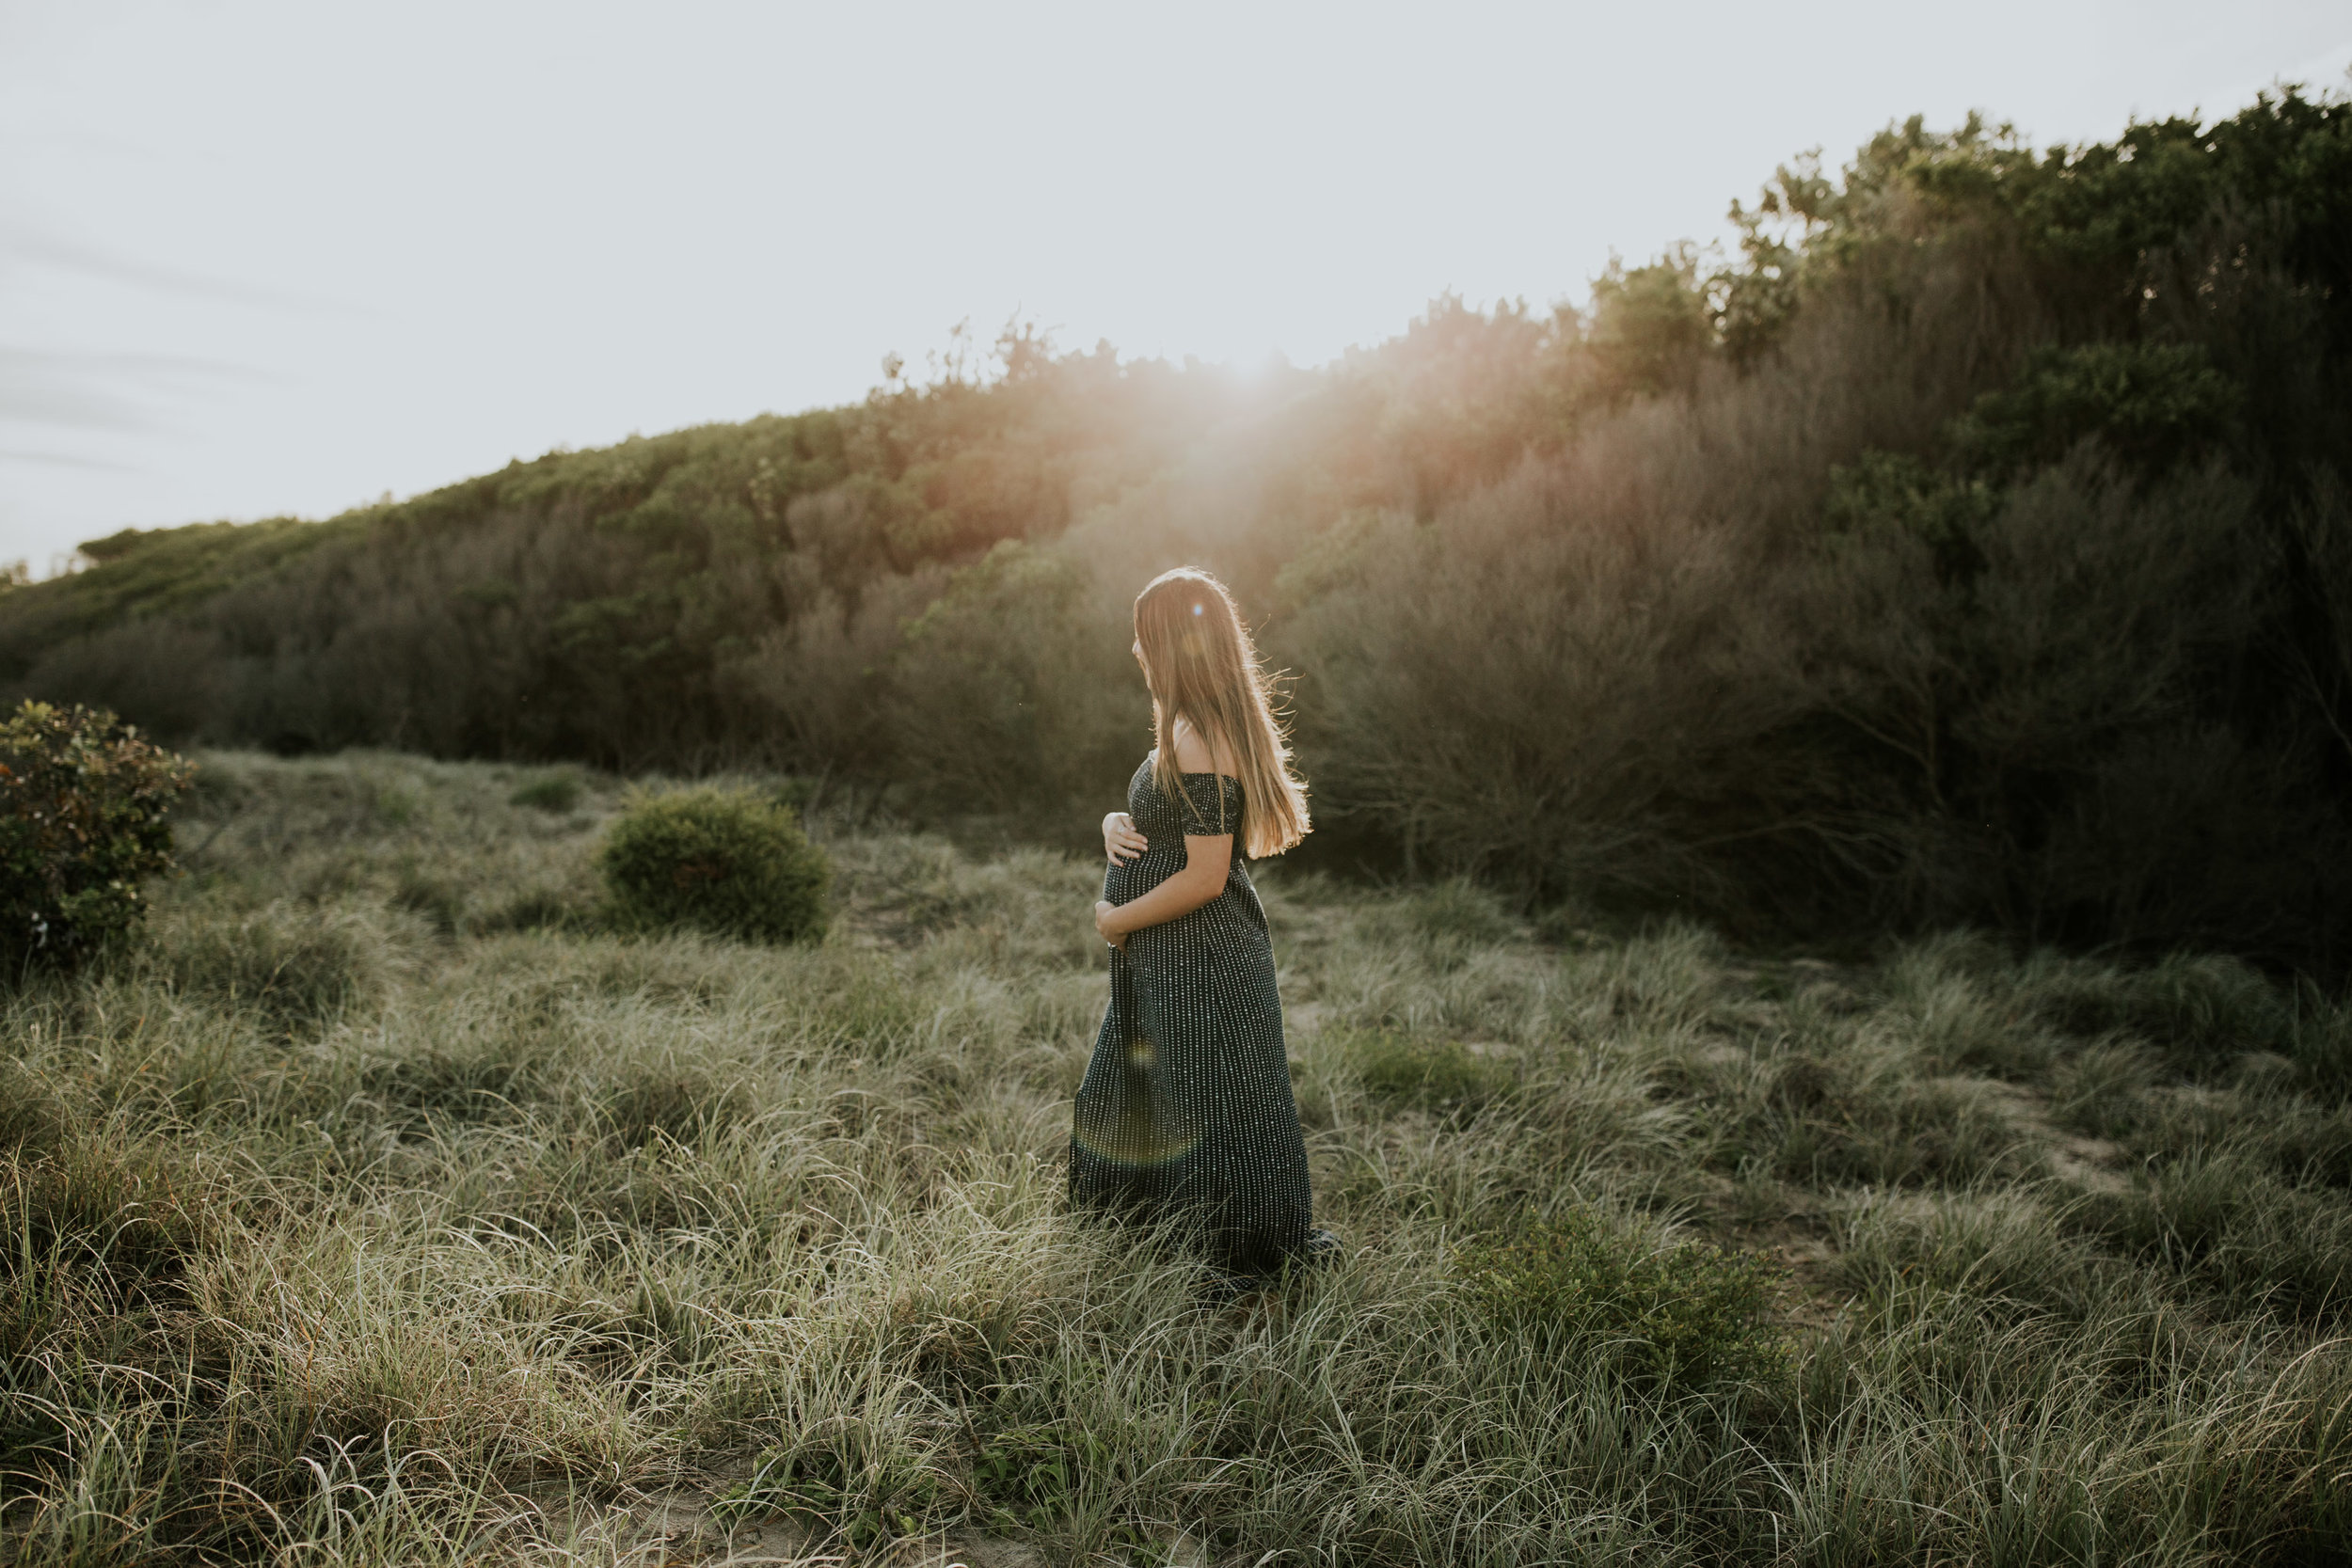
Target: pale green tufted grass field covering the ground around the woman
[382,1209]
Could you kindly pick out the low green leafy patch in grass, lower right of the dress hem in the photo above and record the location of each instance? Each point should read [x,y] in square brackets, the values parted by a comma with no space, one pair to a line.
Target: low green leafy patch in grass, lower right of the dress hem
[1692,1318]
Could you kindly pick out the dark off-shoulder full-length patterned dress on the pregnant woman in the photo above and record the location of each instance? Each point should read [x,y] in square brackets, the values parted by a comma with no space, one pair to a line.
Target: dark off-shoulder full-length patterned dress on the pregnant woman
[1187,1108]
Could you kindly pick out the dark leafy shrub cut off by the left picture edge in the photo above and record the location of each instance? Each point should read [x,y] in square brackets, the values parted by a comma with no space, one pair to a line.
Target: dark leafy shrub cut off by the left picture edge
[83,819]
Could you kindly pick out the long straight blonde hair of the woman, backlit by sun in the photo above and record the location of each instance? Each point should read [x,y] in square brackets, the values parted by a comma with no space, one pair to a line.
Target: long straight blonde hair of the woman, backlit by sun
[1205,671]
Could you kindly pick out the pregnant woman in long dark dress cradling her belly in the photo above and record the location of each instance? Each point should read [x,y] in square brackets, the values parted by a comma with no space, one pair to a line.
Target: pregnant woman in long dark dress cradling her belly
[1187,1111]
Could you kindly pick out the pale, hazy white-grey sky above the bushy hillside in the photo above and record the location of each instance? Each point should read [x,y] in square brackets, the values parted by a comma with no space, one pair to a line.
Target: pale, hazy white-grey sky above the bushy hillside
[290,257]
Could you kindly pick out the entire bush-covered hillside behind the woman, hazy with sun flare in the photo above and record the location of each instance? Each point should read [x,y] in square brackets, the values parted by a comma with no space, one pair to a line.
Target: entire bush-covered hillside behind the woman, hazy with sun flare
[1972,551]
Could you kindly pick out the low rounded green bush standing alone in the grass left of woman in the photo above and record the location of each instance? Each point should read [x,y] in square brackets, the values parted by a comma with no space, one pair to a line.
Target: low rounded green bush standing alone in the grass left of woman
[726,862]
